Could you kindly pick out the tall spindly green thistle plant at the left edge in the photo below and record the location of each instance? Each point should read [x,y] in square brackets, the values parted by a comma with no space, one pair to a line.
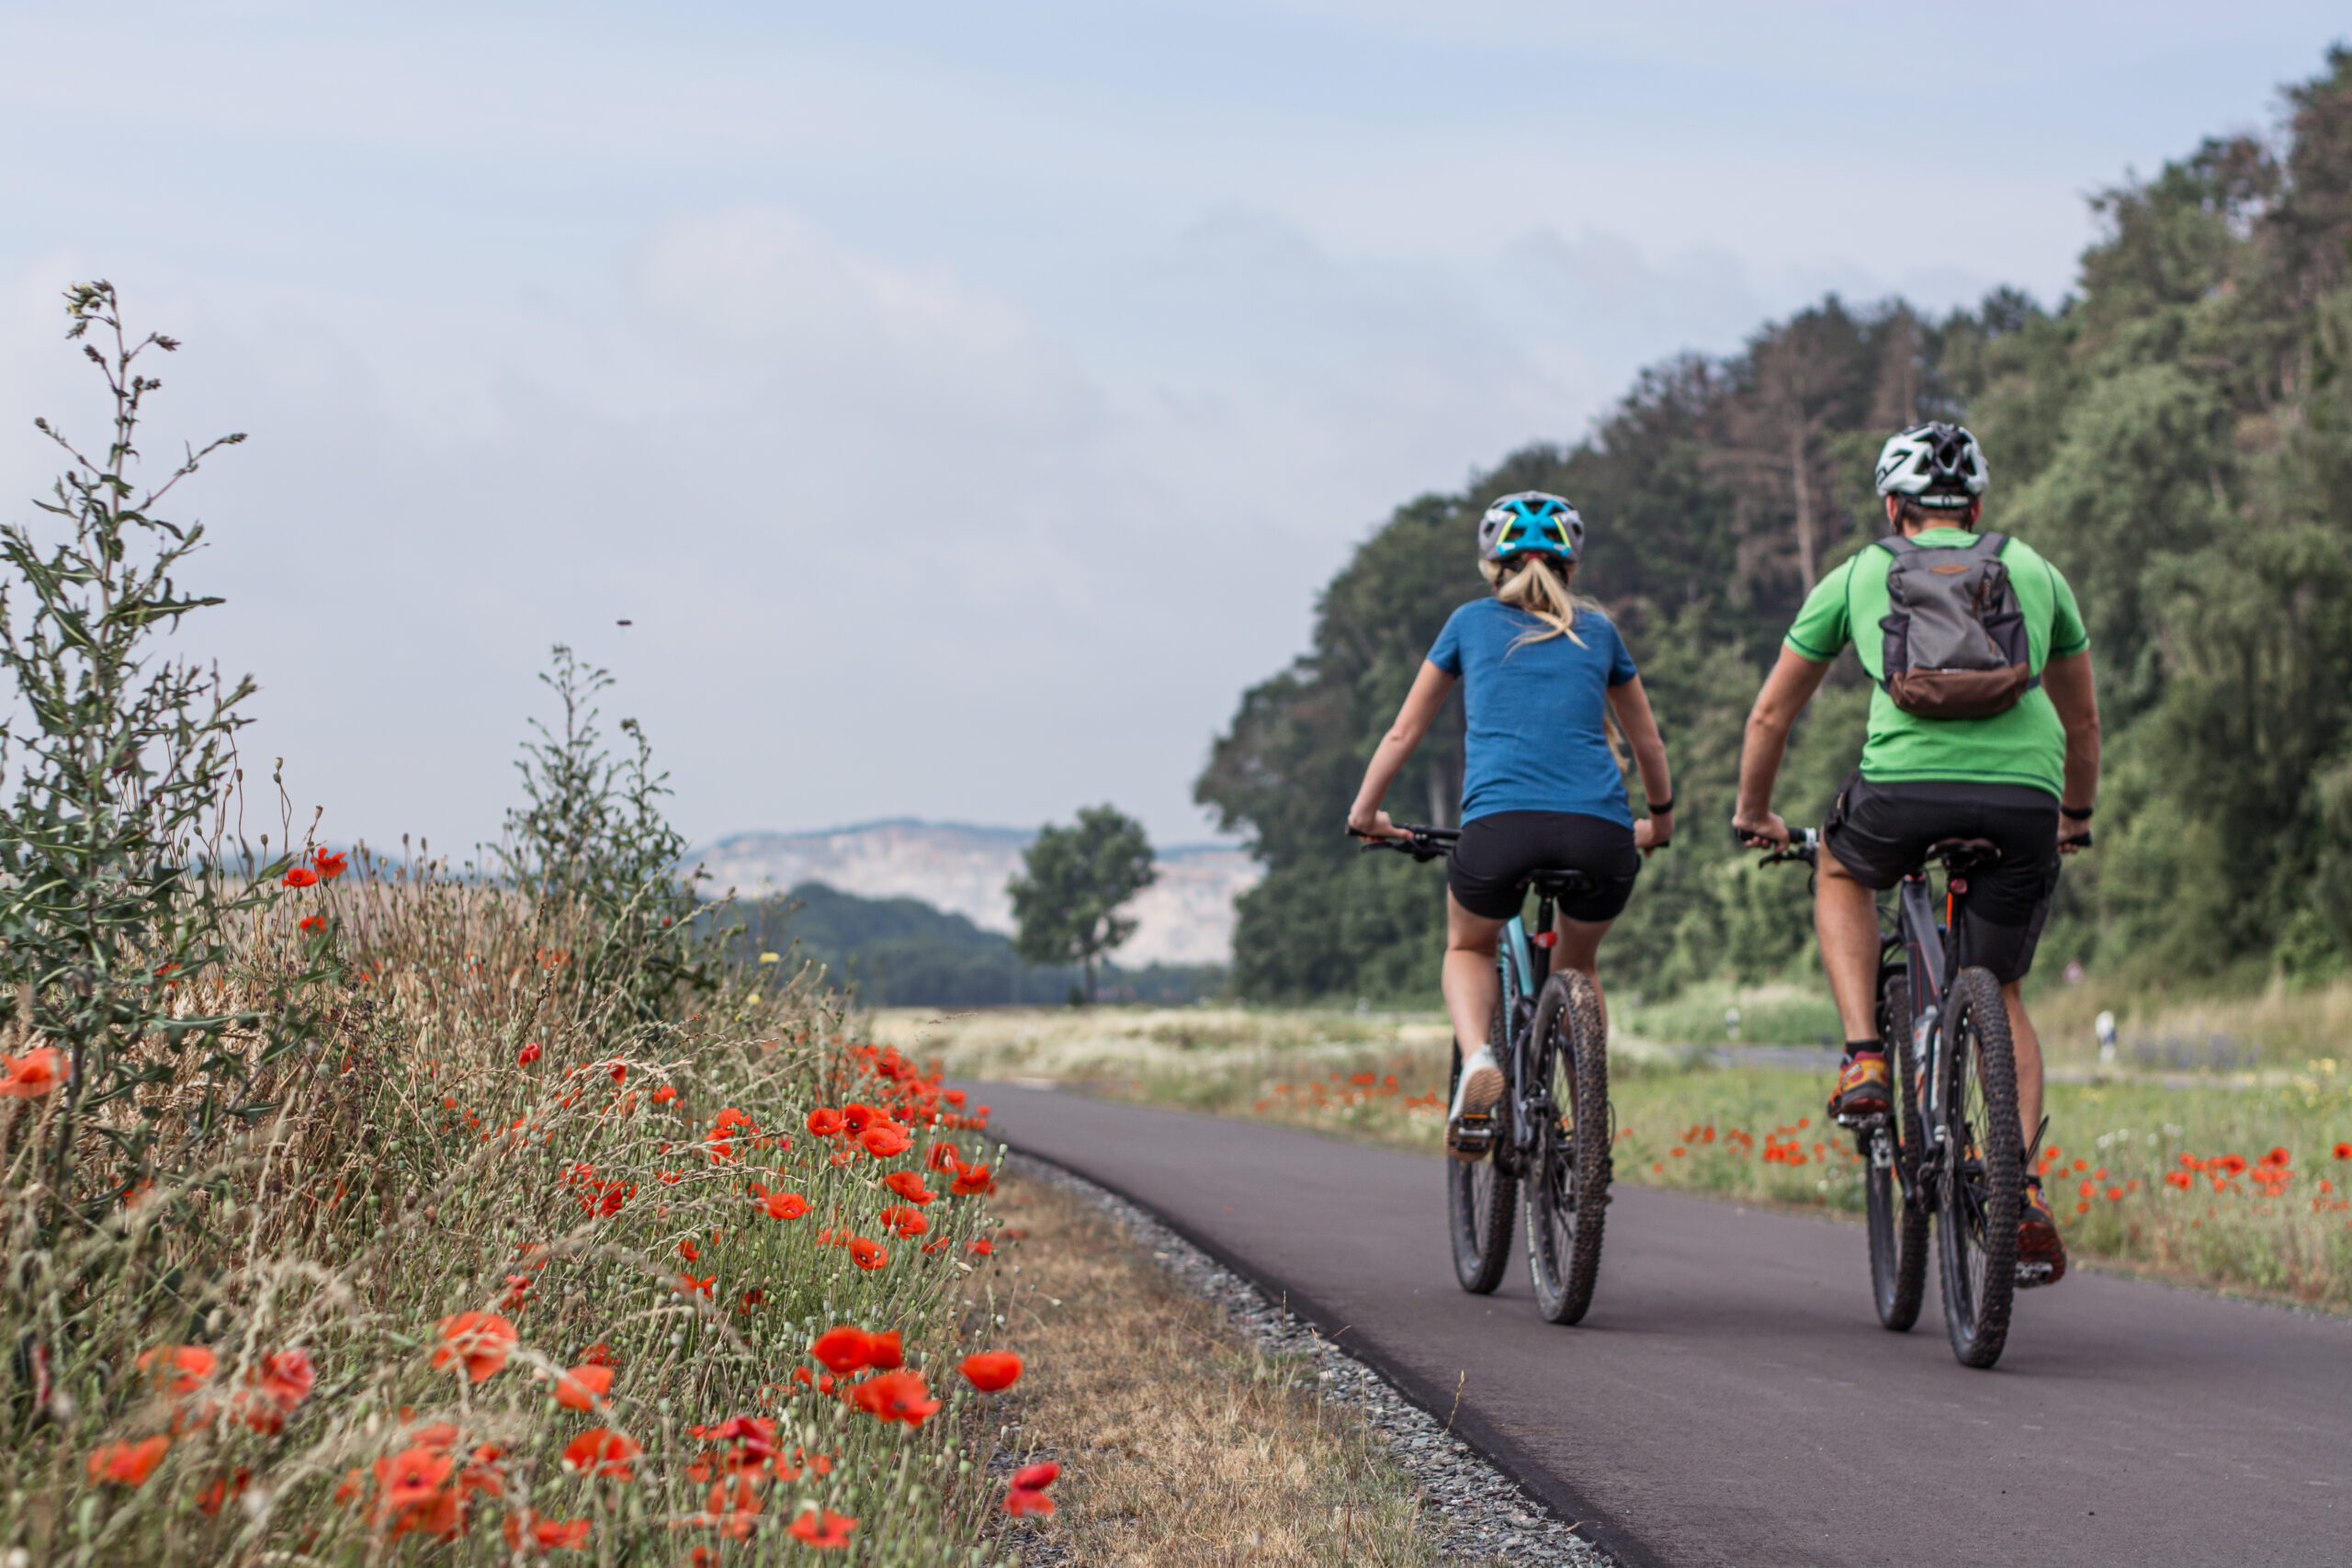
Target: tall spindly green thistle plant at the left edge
[119,876]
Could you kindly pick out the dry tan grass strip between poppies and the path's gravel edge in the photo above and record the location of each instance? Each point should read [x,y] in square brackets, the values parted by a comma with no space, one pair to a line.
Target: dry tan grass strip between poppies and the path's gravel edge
[1182,1445]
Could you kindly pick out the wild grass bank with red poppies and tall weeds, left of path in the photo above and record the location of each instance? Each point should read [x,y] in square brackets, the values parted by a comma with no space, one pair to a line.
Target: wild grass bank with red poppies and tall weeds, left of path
[385,1207]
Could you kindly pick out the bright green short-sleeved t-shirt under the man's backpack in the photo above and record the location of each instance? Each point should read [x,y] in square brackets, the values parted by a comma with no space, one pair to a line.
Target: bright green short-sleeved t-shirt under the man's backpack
[2024,746]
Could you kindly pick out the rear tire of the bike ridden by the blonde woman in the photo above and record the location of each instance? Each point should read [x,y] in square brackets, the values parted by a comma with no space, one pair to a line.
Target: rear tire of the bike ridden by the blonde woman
[1568,1195]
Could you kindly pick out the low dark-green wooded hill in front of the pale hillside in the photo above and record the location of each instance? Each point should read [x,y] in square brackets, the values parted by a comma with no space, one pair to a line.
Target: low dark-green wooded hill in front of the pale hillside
[904,953]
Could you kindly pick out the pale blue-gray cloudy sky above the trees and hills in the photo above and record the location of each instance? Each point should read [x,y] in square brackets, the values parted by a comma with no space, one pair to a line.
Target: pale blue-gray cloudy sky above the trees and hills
[963,401]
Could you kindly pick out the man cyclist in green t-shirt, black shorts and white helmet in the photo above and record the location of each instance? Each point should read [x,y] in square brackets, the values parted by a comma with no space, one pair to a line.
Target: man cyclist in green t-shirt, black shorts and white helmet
[2010,777]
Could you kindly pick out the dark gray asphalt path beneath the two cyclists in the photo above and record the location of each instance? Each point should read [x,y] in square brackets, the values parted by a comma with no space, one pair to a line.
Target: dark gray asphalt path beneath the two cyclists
[1732,1400]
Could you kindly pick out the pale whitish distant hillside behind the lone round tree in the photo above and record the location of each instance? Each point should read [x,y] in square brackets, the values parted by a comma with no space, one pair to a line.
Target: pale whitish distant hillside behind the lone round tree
[1187,918]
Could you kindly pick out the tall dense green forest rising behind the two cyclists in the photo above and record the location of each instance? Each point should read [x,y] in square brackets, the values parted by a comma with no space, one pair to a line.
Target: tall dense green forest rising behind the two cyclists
[2177,436]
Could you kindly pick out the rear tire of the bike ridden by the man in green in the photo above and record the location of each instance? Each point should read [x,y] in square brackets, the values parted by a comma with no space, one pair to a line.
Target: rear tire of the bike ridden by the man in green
[1984,1172]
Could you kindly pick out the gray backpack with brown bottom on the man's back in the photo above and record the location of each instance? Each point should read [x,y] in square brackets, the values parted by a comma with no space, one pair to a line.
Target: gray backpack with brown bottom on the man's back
[1956,636]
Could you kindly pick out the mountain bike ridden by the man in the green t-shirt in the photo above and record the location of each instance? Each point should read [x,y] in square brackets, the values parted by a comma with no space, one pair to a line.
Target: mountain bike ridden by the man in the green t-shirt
[1953,1144]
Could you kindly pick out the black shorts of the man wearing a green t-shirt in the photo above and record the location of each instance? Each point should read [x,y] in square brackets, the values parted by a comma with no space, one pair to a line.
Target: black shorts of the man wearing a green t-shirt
[1883,831]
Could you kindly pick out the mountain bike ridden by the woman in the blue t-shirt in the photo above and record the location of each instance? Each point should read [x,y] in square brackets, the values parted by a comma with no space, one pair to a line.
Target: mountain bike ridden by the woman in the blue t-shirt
[1553,1127]
